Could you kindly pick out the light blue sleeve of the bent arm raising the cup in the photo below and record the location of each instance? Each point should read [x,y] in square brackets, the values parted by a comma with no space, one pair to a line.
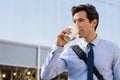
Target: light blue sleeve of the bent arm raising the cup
[53,65]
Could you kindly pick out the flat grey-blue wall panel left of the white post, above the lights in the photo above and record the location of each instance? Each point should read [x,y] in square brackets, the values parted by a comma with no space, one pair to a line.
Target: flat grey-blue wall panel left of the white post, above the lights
[18,55]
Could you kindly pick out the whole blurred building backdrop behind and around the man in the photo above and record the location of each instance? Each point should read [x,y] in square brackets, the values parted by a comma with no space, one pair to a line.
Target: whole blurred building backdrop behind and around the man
[28,29]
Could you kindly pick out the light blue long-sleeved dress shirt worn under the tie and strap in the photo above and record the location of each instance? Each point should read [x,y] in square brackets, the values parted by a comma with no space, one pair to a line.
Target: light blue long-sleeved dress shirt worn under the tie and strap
[106,60]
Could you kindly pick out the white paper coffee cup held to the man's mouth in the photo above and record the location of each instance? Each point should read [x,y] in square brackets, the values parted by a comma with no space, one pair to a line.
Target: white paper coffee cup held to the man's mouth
[74,32]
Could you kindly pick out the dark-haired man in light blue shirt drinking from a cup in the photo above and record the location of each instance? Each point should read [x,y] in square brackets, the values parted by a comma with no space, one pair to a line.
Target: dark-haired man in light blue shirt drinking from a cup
[106,53]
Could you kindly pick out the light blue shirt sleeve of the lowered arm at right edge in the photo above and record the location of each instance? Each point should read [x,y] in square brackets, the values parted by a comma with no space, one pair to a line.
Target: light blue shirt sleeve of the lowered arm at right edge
[116,64]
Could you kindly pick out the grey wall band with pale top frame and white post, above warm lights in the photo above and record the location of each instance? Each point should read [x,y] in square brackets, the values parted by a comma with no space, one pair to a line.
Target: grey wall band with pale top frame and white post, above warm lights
[22,54]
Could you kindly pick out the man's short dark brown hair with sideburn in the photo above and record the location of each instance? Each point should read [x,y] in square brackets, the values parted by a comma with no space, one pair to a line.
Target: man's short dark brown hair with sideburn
[90,11]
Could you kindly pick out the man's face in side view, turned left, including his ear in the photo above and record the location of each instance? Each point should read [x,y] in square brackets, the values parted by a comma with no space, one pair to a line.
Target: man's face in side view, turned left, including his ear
[82,22]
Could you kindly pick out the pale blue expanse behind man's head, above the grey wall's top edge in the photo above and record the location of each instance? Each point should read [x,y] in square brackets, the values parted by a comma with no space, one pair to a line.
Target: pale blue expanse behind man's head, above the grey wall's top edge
[39,21]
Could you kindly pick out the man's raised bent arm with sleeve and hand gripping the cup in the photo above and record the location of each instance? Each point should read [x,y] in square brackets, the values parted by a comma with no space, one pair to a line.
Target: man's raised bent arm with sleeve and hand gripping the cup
[53,64]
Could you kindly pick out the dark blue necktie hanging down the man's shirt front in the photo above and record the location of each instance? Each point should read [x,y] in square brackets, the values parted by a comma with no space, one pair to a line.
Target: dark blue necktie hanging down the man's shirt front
[90,62]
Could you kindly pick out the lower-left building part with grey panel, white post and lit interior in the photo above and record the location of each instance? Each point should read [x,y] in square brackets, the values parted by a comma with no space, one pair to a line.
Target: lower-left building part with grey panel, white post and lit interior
[21,61]
